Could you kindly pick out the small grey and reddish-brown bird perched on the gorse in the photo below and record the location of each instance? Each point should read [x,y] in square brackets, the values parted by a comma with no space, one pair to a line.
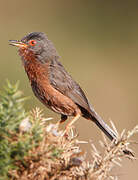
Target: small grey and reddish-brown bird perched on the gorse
[52,84]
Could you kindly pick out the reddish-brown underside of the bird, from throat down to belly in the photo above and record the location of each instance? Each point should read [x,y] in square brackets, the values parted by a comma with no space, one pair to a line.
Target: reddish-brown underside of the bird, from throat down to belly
[38,75]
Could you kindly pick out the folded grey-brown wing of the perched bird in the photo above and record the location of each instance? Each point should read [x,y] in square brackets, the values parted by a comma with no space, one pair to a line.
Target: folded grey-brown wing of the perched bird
[64,83]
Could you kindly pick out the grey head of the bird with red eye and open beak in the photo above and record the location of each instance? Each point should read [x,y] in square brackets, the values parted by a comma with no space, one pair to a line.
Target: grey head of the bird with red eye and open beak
[38,45]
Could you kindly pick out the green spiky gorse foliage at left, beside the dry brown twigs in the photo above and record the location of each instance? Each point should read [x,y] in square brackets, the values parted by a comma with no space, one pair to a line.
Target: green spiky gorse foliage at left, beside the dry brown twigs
[14,145]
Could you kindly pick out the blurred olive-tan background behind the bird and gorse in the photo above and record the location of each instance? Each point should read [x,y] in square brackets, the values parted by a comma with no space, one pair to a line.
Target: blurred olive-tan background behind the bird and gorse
[97,42]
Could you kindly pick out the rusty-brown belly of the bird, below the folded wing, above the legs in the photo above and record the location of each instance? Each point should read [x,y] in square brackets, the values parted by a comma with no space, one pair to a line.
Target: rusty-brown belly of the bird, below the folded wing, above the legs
[54,100]
